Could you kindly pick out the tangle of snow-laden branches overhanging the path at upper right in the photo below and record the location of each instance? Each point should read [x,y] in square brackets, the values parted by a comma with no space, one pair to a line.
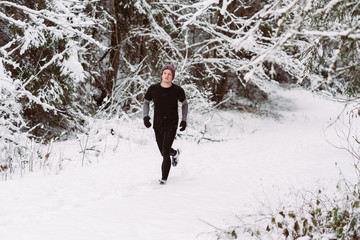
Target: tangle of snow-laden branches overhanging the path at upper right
[296,41]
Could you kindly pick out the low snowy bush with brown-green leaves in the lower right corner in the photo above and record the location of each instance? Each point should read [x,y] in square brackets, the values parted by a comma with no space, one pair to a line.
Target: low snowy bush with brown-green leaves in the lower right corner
[312,215]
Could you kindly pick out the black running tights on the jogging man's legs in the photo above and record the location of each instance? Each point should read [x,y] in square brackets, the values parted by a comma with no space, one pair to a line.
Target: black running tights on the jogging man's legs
[164,139]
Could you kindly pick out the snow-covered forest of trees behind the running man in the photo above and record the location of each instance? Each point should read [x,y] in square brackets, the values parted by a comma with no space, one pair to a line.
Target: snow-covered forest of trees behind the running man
[64,63]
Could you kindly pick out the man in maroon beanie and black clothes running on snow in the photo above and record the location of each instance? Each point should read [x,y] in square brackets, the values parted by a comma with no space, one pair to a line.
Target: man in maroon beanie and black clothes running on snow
[165,96]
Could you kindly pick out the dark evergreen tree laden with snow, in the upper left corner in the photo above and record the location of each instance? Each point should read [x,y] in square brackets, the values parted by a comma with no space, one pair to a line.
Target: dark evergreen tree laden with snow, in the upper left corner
[42,47]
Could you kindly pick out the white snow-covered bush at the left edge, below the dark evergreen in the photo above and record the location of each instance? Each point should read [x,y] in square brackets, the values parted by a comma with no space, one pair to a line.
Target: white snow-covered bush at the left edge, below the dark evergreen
[18,153]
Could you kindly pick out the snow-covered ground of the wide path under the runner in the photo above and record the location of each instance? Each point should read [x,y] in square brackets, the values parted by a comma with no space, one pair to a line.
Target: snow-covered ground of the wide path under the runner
[117,196]
